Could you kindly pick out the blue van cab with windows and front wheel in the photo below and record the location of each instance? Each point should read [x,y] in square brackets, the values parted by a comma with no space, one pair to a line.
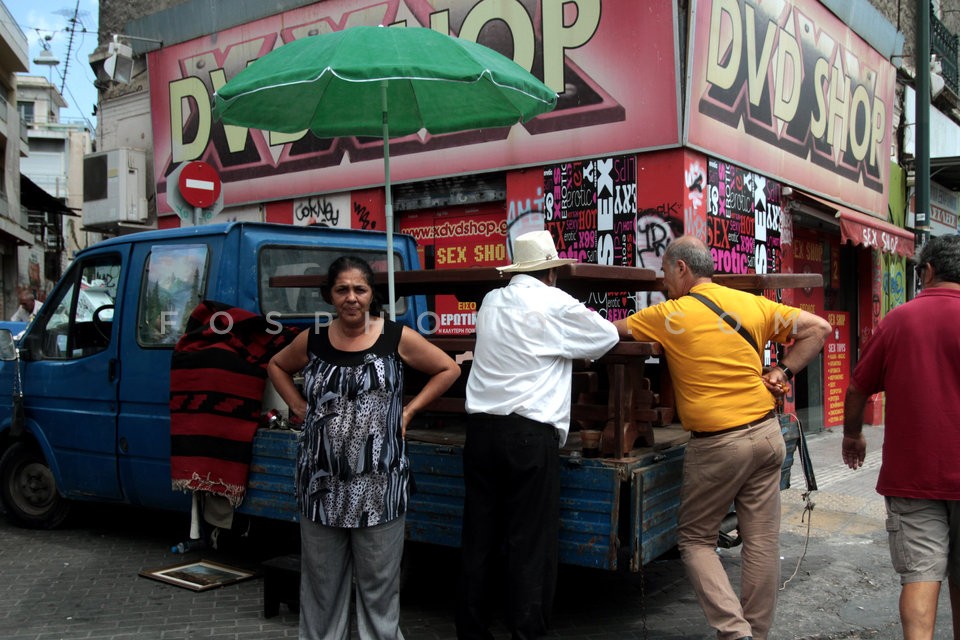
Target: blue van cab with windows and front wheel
[93,376]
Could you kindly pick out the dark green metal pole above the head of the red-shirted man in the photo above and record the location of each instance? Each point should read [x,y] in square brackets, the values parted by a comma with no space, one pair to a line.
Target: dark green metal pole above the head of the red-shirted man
[922,164]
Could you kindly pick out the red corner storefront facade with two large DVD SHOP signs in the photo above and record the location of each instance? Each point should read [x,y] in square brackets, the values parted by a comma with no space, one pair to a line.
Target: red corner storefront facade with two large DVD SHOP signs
[781,118]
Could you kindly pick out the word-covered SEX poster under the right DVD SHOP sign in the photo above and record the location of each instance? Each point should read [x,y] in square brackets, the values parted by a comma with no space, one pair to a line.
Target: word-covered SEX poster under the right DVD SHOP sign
[743,220]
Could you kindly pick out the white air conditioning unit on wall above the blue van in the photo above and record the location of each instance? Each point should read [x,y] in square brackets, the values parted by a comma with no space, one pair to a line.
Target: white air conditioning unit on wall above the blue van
[114,188]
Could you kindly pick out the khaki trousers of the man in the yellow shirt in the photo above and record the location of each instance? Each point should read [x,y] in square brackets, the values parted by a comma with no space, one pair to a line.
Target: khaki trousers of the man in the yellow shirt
[740,468]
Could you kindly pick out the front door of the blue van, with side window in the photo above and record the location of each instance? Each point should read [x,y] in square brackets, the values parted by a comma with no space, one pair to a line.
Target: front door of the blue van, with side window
[71,372]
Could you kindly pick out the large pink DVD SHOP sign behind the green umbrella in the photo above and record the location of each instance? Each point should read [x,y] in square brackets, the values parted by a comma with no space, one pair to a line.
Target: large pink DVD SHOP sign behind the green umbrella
[590,57]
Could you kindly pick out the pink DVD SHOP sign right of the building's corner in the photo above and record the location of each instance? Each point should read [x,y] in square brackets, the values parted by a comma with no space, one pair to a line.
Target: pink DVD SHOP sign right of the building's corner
[786,89]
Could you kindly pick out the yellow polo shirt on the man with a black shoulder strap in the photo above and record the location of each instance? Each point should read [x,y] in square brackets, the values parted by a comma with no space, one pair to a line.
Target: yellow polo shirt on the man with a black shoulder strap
[715,372]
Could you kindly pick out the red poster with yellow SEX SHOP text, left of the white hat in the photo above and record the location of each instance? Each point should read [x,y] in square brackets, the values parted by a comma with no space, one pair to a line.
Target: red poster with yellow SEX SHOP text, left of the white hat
[454,239]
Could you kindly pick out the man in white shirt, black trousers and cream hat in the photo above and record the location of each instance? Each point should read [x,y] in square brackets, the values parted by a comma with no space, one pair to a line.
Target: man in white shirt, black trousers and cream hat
[518,397]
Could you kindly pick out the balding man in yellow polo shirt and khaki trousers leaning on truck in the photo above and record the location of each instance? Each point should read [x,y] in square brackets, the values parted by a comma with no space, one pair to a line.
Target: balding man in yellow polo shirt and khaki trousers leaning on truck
[727,403]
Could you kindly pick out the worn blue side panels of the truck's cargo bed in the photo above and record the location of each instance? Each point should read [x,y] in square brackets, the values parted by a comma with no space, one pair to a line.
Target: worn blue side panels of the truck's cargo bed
[603,500]
